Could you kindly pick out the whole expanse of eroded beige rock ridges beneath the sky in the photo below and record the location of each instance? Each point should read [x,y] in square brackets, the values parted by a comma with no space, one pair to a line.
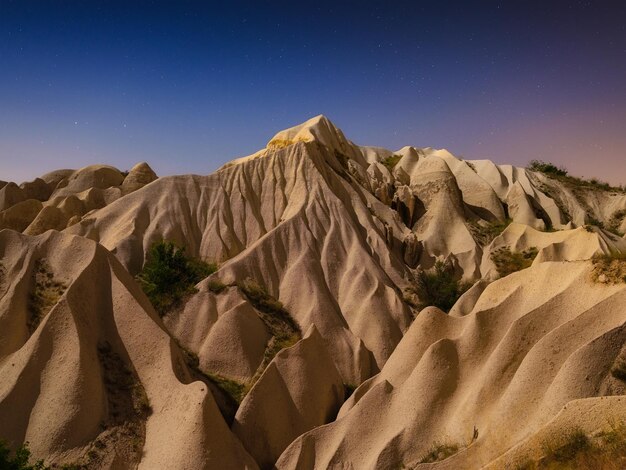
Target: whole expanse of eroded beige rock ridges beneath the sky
[334,237]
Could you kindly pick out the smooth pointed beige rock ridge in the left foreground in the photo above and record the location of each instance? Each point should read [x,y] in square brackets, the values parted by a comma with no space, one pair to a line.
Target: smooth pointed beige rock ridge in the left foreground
[57,389]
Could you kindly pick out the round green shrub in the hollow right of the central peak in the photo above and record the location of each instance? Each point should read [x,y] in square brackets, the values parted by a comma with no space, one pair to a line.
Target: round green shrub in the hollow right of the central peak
[439,287]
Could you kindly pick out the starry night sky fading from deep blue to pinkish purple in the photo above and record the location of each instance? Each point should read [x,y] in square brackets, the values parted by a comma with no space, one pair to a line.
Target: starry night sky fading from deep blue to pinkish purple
[188,86]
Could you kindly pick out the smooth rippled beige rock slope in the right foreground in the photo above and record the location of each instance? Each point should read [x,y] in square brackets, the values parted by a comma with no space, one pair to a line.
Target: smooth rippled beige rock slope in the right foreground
[529,347]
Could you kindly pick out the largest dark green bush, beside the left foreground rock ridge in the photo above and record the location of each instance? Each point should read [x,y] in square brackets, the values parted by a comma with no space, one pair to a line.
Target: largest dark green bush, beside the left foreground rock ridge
[169,274]
